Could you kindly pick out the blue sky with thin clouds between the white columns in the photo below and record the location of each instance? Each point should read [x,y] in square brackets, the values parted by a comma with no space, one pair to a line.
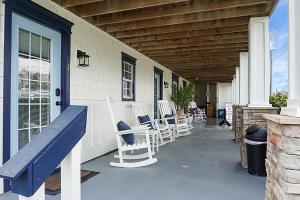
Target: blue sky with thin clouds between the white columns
[279,37]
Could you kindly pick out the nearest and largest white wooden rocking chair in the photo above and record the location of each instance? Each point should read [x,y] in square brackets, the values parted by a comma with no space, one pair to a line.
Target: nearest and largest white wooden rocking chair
[142,141]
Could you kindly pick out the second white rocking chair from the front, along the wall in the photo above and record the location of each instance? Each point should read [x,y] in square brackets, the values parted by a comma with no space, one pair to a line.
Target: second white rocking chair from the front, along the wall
[161,129]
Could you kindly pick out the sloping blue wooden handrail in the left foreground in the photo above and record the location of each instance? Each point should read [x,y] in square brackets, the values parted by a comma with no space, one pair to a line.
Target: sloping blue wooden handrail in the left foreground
[34,163]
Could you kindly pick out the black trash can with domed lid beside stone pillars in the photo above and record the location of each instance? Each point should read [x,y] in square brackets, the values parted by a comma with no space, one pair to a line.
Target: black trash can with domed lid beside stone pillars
[256,142]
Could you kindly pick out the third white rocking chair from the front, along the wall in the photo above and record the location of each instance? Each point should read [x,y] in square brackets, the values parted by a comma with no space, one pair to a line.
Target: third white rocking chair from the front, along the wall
[180,127]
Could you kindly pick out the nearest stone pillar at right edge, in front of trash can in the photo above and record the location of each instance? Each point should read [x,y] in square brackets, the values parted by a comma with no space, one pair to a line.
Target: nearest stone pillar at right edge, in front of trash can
[283,158]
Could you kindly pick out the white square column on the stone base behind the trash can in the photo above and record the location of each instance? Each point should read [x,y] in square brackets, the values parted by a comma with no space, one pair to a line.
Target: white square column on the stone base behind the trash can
[259,62]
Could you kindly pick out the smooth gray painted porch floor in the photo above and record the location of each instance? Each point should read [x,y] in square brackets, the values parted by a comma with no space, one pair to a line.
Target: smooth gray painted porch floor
[204,165]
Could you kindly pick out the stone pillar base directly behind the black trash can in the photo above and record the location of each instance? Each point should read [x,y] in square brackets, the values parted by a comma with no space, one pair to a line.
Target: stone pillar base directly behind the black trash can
[252,116]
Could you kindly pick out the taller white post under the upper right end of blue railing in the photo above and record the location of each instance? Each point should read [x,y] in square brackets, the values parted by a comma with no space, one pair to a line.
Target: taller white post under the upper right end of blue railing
[71,175]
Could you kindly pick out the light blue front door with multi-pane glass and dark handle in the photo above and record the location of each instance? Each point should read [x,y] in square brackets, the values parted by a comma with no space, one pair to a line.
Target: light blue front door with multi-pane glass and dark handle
[35,79]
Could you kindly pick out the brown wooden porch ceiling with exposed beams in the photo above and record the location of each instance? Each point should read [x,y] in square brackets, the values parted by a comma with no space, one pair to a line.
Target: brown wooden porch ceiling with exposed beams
[198,39]
